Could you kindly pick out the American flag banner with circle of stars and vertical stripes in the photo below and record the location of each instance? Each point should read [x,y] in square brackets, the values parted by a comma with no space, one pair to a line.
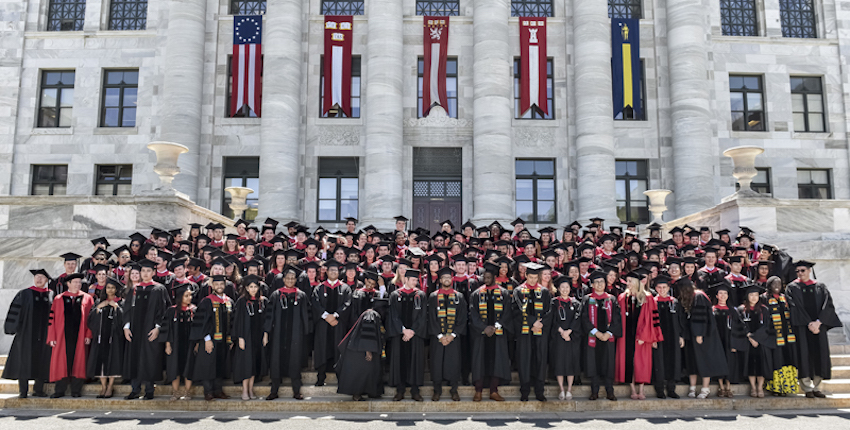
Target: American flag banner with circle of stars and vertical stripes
[246,64]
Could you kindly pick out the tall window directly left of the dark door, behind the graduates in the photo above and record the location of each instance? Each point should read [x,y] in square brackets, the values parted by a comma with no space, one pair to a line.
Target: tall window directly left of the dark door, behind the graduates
[338,188]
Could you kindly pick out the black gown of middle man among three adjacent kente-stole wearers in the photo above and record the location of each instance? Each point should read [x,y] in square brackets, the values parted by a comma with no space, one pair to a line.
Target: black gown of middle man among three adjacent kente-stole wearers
[490,355]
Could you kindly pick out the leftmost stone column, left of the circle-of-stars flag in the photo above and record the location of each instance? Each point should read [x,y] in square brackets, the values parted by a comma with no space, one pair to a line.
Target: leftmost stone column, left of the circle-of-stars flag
[182,92]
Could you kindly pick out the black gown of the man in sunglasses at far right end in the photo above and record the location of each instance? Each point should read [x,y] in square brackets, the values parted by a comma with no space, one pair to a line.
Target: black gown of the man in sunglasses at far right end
[811,302]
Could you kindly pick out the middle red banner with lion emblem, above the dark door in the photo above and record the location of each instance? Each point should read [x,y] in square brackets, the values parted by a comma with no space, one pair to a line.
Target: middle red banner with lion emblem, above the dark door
[436,41]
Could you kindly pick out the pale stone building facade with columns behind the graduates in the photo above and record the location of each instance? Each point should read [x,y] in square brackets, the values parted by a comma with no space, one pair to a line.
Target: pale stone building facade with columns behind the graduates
[693,69]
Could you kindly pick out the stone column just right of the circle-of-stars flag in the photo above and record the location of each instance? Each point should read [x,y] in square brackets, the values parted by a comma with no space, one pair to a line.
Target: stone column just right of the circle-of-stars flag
[280,132]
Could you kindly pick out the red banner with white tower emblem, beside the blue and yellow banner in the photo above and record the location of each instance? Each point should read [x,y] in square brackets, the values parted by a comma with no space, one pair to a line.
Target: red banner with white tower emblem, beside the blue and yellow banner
[532,42]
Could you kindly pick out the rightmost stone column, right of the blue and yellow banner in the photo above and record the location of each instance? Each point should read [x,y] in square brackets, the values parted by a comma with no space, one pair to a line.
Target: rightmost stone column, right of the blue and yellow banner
[690,114]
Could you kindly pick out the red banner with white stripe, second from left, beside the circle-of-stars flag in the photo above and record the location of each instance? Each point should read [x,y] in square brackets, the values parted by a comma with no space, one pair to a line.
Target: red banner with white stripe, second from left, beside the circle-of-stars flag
[337,67]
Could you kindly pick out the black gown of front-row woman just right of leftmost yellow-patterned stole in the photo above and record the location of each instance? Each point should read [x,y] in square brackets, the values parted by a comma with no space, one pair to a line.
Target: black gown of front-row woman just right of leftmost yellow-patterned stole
[248,323]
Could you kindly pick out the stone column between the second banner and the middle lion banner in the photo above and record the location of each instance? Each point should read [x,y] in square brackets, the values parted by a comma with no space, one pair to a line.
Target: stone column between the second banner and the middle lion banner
[382,114]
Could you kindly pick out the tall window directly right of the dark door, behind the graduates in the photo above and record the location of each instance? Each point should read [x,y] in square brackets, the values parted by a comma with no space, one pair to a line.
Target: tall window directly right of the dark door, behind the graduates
[535,190]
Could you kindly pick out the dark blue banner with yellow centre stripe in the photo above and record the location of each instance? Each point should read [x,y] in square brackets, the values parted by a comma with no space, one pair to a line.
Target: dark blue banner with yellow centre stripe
[626,68]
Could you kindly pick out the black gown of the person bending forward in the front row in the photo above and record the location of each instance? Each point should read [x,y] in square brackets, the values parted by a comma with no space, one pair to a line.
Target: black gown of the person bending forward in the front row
[356,374]
